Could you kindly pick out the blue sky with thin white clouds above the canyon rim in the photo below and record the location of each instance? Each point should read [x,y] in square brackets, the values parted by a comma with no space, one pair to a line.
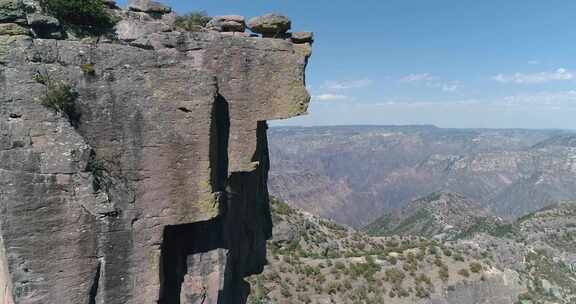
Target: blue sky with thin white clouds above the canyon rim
[452,63]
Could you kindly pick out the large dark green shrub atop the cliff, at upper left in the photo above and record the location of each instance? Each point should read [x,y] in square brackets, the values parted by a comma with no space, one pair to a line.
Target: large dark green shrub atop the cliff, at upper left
[84,16]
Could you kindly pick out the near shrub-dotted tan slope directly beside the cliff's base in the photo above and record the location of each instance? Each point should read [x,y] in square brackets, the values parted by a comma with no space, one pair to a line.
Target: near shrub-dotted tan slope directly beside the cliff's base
[312,260]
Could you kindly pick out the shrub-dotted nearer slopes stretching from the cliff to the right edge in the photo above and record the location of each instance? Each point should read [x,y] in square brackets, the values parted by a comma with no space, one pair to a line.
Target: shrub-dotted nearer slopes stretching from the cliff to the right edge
[312,260]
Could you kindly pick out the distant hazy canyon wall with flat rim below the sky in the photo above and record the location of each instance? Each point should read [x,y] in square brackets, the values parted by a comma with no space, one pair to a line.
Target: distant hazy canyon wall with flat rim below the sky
[355,174]
